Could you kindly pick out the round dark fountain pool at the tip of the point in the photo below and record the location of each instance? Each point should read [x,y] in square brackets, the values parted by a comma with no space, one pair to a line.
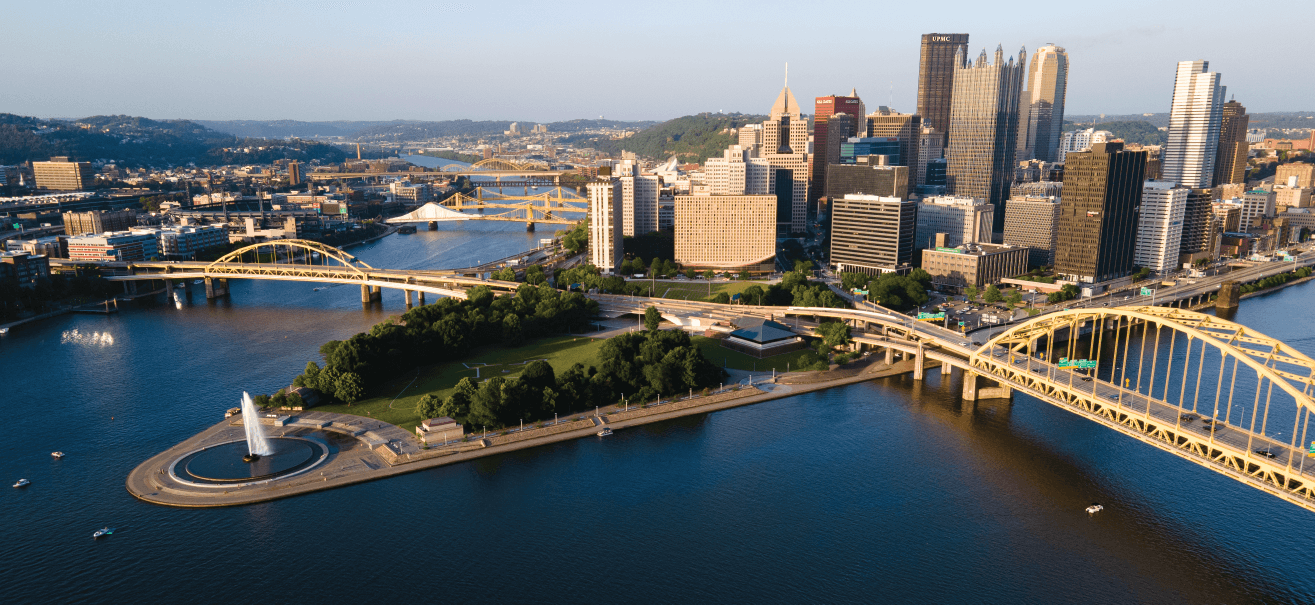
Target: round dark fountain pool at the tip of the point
[224,465]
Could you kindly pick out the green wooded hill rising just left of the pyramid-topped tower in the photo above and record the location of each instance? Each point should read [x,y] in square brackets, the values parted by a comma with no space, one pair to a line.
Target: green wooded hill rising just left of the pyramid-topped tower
[692,139]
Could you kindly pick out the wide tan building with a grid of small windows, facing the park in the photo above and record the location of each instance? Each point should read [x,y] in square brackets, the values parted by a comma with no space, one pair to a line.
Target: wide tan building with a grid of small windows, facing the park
[727,233]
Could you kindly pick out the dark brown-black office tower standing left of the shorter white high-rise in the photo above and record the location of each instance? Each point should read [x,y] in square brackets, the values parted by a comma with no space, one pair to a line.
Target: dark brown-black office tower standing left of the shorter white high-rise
[1099,214]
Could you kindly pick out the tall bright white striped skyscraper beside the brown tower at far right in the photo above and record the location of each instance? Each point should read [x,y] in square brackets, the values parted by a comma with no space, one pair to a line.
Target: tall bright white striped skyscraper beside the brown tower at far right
[1199,103]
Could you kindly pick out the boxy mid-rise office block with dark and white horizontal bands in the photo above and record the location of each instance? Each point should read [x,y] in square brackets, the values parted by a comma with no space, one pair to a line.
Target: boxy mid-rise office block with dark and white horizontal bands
[873,235]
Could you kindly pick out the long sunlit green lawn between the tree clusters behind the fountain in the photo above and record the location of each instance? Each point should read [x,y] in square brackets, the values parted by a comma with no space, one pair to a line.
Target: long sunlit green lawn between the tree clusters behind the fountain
[395,403]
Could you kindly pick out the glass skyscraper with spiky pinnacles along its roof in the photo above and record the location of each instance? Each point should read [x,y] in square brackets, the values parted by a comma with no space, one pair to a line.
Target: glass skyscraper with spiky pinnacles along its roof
[984,130]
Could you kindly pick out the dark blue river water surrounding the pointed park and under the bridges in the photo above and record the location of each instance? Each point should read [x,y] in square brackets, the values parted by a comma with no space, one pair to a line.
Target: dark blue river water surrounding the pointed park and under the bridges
[886,491]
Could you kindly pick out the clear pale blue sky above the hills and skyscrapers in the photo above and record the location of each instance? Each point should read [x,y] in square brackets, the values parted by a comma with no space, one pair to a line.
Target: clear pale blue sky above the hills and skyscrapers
[318,61]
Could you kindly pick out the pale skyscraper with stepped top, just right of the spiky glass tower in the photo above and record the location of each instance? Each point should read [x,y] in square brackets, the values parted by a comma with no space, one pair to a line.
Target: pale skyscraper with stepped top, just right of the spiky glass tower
[1041,118]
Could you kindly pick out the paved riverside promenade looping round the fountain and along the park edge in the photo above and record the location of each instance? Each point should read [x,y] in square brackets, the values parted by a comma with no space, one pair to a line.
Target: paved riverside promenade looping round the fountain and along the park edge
[368,450]
